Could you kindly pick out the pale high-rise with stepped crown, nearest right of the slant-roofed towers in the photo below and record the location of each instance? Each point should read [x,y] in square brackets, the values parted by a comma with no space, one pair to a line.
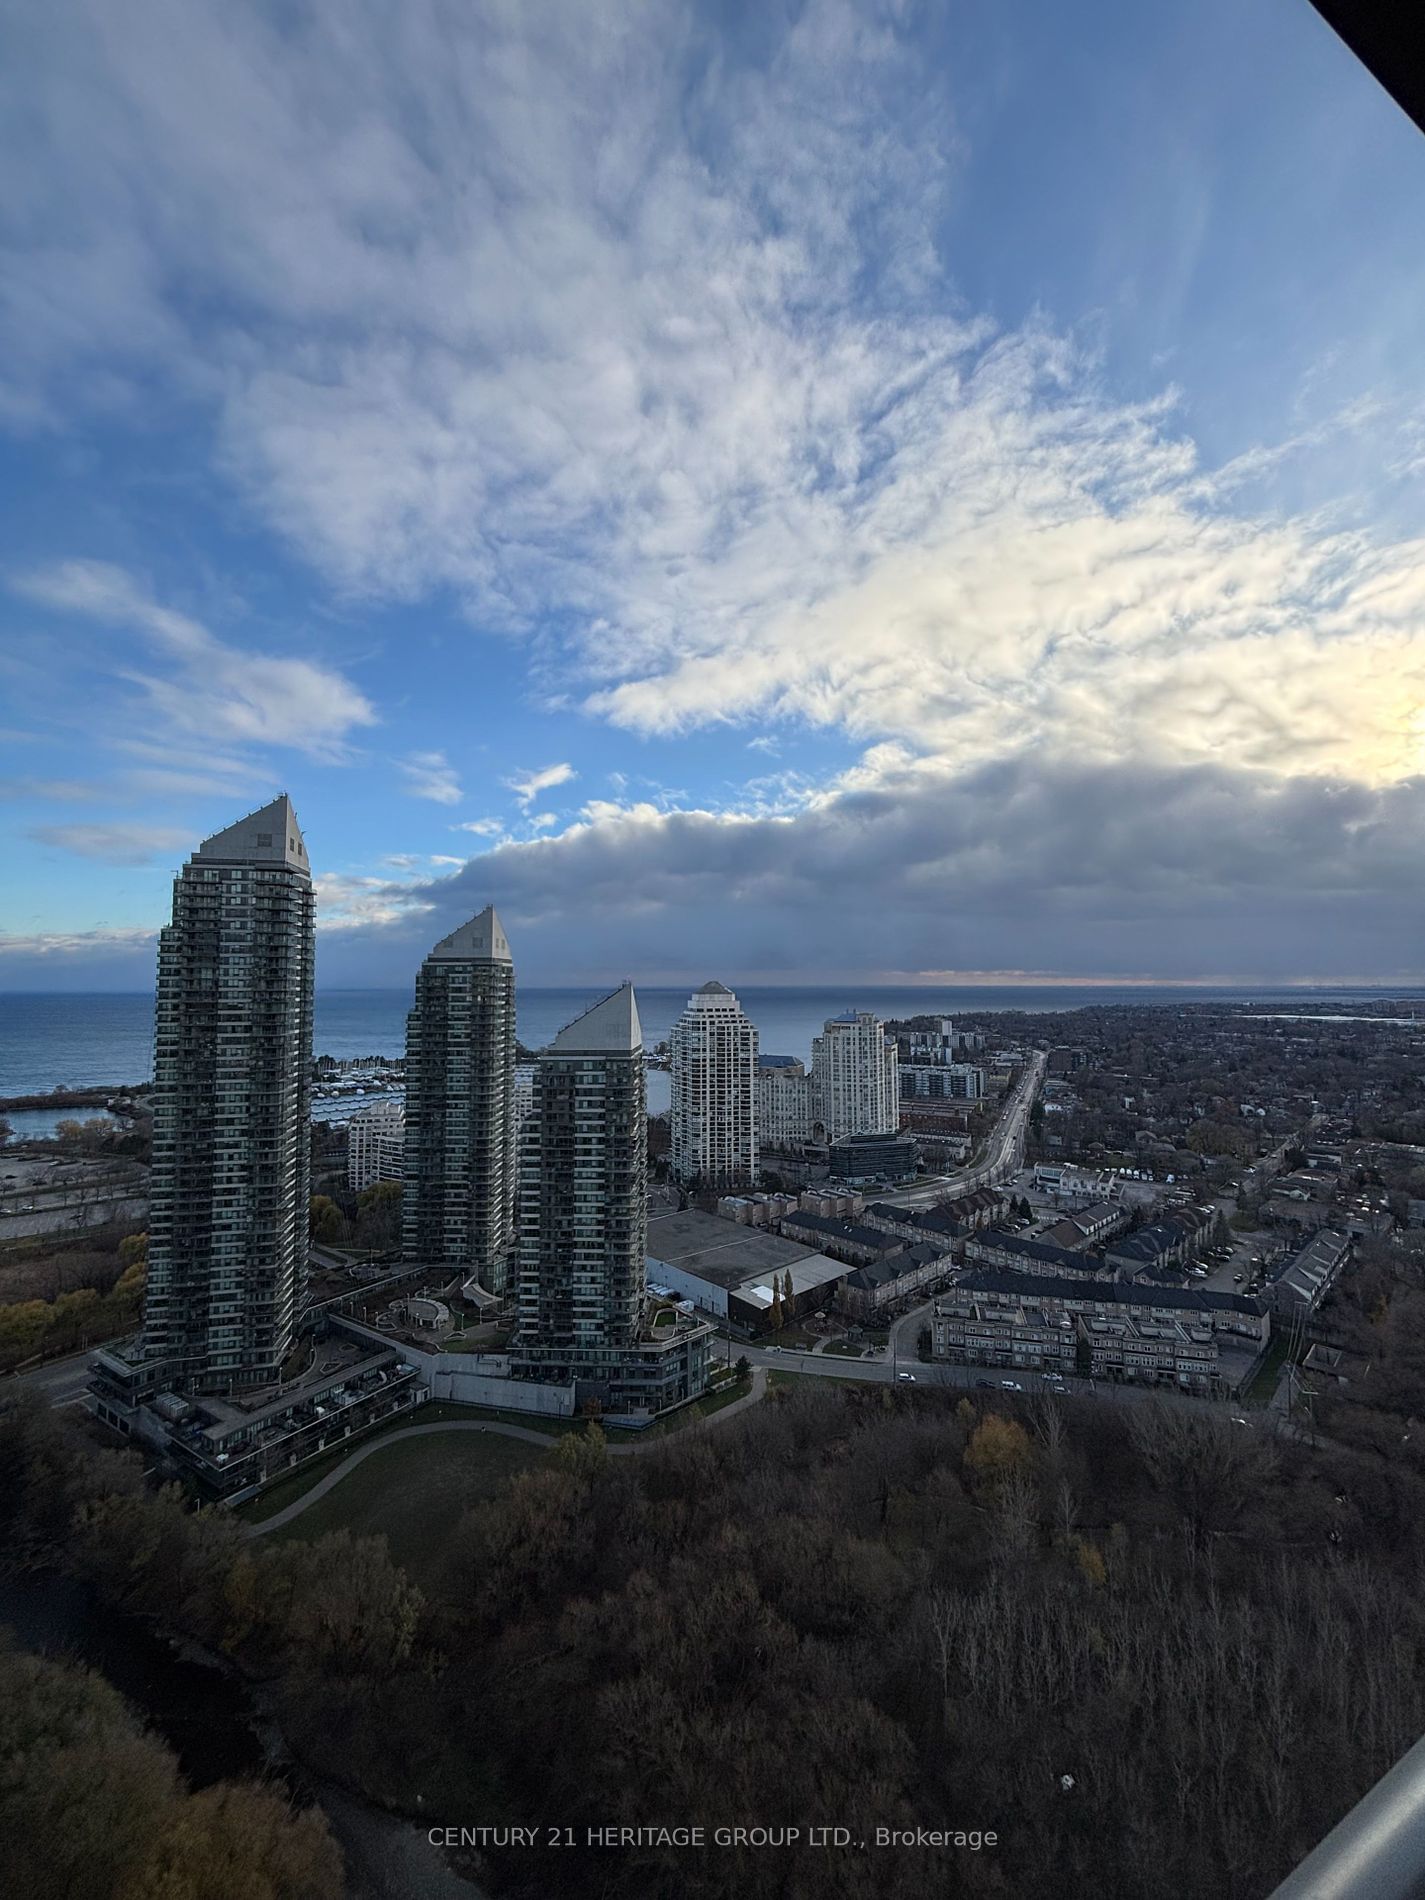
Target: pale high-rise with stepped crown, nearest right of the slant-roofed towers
[715,1090]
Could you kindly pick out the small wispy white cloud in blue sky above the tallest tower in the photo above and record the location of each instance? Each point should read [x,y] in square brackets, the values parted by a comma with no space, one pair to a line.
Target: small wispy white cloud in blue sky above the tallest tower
[214,693]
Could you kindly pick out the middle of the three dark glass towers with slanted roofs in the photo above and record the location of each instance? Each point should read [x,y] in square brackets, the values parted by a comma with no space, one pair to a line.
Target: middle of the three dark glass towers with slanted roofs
[461,1105]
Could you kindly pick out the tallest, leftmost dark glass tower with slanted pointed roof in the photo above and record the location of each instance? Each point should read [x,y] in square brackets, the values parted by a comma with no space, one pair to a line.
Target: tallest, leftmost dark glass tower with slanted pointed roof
[233,1078]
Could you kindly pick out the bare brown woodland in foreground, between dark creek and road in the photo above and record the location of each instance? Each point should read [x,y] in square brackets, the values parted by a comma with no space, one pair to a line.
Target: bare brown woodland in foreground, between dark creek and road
[852,1608]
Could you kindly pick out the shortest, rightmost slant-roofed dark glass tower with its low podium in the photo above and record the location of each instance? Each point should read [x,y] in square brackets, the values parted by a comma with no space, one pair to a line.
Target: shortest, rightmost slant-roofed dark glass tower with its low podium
[584,1314]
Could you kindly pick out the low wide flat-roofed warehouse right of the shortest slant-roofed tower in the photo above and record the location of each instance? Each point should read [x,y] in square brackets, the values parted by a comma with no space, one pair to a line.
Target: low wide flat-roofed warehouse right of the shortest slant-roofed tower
[729,1270]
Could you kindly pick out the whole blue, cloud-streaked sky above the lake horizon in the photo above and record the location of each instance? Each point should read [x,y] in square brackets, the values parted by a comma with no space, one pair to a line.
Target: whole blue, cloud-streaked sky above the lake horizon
[776,491]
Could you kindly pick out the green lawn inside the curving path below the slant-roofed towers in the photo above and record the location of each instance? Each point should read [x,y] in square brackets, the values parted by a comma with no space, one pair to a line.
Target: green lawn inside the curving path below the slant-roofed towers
[413,1492]
